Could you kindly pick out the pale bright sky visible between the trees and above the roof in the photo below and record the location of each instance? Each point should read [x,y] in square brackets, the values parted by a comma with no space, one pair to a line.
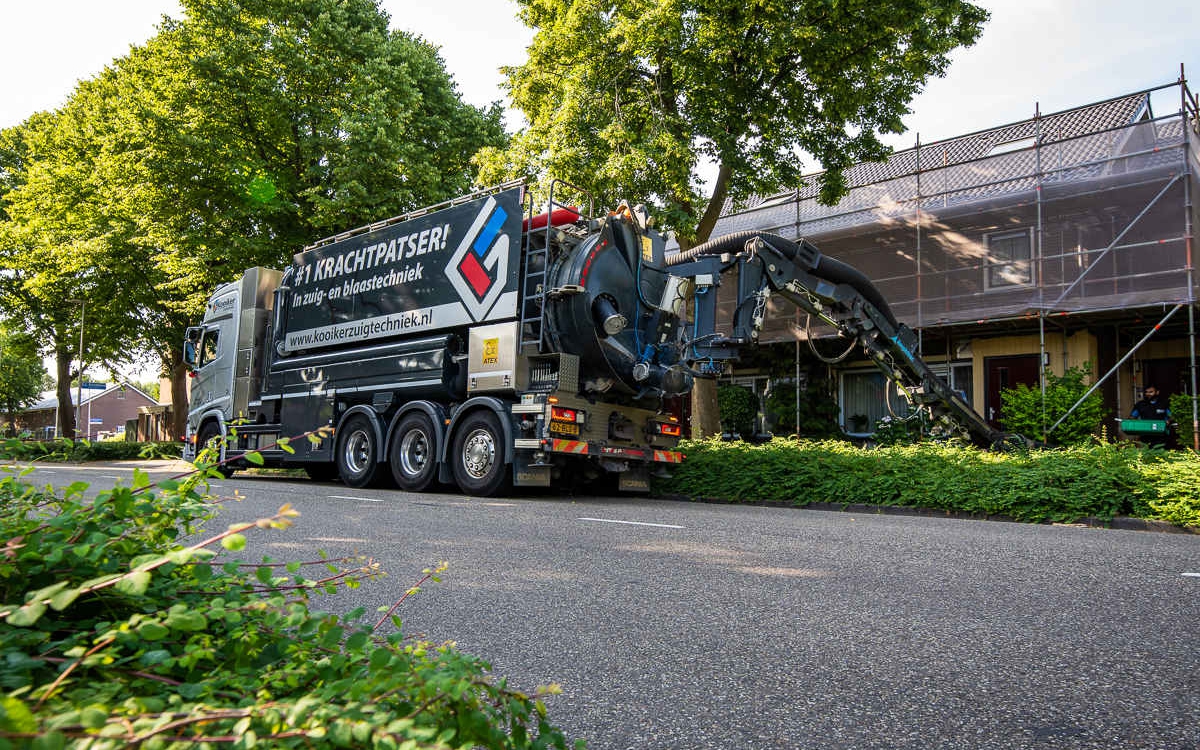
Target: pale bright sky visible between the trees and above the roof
[1051,53]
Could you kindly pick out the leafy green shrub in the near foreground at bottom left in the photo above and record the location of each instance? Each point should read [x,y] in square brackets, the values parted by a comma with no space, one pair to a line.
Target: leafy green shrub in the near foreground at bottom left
[115,634]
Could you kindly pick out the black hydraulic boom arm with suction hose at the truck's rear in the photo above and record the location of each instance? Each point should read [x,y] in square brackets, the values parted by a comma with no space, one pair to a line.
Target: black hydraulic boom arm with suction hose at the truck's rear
[829,291]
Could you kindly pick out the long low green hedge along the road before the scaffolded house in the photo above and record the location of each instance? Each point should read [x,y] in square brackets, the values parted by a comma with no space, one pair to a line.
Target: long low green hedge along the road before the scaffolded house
[1066,485]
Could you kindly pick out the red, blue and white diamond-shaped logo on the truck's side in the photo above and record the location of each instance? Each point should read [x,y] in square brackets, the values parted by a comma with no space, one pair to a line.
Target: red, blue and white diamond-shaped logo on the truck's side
[478,269]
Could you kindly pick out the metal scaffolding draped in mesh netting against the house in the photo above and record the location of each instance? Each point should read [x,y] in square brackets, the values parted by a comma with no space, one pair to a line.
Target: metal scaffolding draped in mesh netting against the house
[1085,213]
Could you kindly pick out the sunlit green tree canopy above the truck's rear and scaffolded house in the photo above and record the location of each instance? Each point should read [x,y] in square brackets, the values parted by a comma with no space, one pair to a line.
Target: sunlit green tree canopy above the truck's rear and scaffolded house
[632,100]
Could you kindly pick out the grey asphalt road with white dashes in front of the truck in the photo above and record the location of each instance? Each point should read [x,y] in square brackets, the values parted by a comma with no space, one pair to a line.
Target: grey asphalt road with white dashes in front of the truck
[688,626]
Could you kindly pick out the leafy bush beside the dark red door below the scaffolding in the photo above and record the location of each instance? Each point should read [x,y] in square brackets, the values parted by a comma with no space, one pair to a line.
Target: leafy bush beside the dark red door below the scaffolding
[1023,409]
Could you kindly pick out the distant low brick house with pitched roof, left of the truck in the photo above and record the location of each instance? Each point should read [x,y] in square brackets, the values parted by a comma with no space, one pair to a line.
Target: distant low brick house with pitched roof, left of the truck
[104,411]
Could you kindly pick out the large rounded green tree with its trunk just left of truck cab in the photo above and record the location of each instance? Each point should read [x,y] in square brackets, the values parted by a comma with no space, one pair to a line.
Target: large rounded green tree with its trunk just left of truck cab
[239,134]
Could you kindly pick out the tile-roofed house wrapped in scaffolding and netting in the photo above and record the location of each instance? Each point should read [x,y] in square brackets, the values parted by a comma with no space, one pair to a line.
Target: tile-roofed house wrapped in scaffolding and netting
[1057,242]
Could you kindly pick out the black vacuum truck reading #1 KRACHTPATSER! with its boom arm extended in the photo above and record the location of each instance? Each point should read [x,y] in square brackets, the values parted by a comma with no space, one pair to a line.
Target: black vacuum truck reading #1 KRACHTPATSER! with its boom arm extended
[481,345]
